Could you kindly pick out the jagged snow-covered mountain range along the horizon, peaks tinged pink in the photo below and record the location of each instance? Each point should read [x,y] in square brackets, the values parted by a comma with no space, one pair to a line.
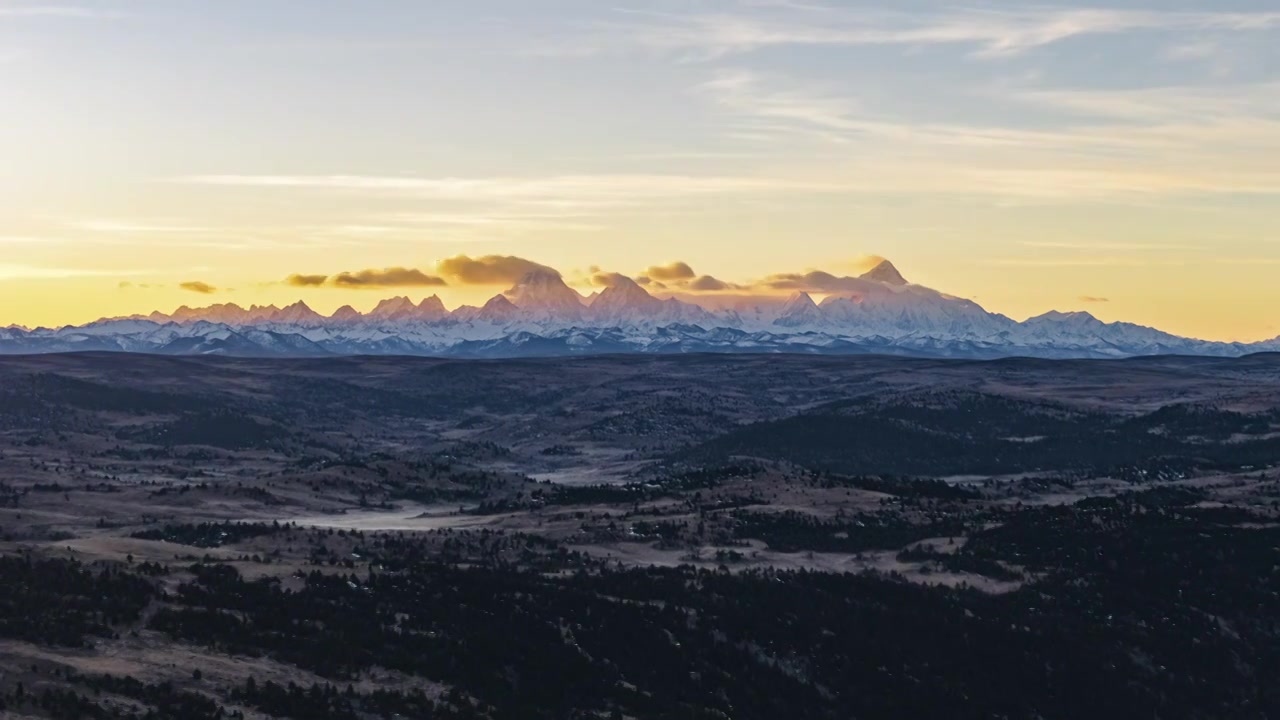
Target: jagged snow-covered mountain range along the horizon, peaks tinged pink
[879,312]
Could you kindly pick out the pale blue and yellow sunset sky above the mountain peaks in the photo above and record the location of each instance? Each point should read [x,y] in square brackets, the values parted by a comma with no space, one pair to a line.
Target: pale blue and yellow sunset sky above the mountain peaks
[1121,157]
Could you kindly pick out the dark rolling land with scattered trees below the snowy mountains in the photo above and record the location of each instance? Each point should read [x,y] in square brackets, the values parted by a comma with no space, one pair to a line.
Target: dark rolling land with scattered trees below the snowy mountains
[639,537]
